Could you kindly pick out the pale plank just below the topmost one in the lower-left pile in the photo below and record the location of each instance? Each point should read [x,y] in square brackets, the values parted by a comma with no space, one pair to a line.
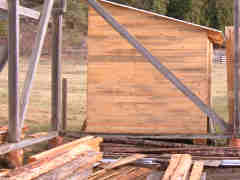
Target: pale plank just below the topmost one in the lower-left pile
[35,169]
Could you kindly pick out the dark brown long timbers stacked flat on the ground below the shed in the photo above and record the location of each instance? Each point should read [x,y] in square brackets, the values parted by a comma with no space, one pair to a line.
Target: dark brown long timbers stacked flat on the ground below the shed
[120,147]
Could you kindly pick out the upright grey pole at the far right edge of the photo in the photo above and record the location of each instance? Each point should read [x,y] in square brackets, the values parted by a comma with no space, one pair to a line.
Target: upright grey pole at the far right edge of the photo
[236,68]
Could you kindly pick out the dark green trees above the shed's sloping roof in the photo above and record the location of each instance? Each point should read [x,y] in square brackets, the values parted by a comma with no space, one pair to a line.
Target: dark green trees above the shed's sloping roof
[212,13]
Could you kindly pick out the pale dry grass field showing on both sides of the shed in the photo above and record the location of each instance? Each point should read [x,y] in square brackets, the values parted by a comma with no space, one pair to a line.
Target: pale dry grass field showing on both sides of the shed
[38,116]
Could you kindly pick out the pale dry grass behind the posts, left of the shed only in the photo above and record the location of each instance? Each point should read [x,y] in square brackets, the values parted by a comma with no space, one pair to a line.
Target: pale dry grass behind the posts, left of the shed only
[38,115]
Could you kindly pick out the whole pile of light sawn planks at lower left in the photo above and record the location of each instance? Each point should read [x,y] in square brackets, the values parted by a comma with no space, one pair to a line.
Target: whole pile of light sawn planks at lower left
[73,160]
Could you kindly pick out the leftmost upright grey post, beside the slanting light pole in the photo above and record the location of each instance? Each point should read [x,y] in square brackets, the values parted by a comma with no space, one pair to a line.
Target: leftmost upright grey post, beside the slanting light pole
[13,70]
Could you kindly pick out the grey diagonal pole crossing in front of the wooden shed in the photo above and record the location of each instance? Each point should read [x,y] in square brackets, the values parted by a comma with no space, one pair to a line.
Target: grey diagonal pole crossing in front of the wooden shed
[158,65]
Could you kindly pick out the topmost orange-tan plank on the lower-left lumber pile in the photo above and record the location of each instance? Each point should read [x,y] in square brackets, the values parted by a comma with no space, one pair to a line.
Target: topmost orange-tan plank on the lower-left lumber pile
[90,141]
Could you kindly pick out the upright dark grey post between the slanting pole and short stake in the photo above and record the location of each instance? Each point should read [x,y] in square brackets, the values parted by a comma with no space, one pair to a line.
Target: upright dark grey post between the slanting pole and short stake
[56,70]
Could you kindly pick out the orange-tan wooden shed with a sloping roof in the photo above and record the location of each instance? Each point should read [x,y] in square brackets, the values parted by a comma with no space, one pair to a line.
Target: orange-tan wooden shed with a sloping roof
[125,92]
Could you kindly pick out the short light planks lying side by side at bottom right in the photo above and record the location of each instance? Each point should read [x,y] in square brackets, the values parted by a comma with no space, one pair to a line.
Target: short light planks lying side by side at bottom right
[181,168]
